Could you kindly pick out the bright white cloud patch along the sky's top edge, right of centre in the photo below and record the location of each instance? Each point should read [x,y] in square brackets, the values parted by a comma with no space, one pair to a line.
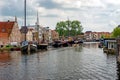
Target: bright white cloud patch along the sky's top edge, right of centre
[79,3]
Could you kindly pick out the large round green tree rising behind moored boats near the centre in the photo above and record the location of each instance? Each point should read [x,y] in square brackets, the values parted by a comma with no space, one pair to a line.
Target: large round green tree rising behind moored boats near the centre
[69,28]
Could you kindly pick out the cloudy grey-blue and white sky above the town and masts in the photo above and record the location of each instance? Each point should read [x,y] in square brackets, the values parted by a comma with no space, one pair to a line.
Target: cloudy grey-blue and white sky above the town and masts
[95,15]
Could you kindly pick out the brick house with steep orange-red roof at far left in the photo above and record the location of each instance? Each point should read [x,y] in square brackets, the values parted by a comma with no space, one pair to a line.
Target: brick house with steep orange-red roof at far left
[9,32]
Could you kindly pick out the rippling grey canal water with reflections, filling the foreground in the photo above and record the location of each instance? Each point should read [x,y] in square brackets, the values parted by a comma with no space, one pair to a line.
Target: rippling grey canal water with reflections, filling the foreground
[84,62]
